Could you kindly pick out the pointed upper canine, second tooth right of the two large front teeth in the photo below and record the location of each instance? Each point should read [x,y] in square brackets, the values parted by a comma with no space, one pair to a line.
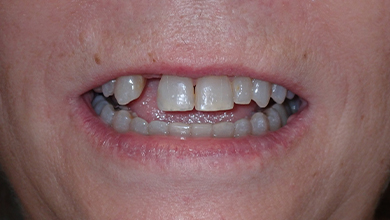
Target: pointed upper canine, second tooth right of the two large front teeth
[261,92]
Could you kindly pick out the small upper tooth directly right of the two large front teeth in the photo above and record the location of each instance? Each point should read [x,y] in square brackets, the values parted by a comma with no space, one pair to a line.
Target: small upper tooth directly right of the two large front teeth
[242,90]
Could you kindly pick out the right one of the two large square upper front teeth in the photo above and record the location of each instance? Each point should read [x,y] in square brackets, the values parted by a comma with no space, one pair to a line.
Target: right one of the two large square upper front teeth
[213,93]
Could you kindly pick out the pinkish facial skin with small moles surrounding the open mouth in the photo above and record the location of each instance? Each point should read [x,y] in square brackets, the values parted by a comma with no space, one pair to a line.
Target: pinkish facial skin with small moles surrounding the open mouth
[335,156]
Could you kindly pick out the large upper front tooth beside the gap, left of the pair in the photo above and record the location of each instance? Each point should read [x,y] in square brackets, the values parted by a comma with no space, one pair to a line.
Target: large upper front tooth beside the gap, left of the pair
[175,94]
